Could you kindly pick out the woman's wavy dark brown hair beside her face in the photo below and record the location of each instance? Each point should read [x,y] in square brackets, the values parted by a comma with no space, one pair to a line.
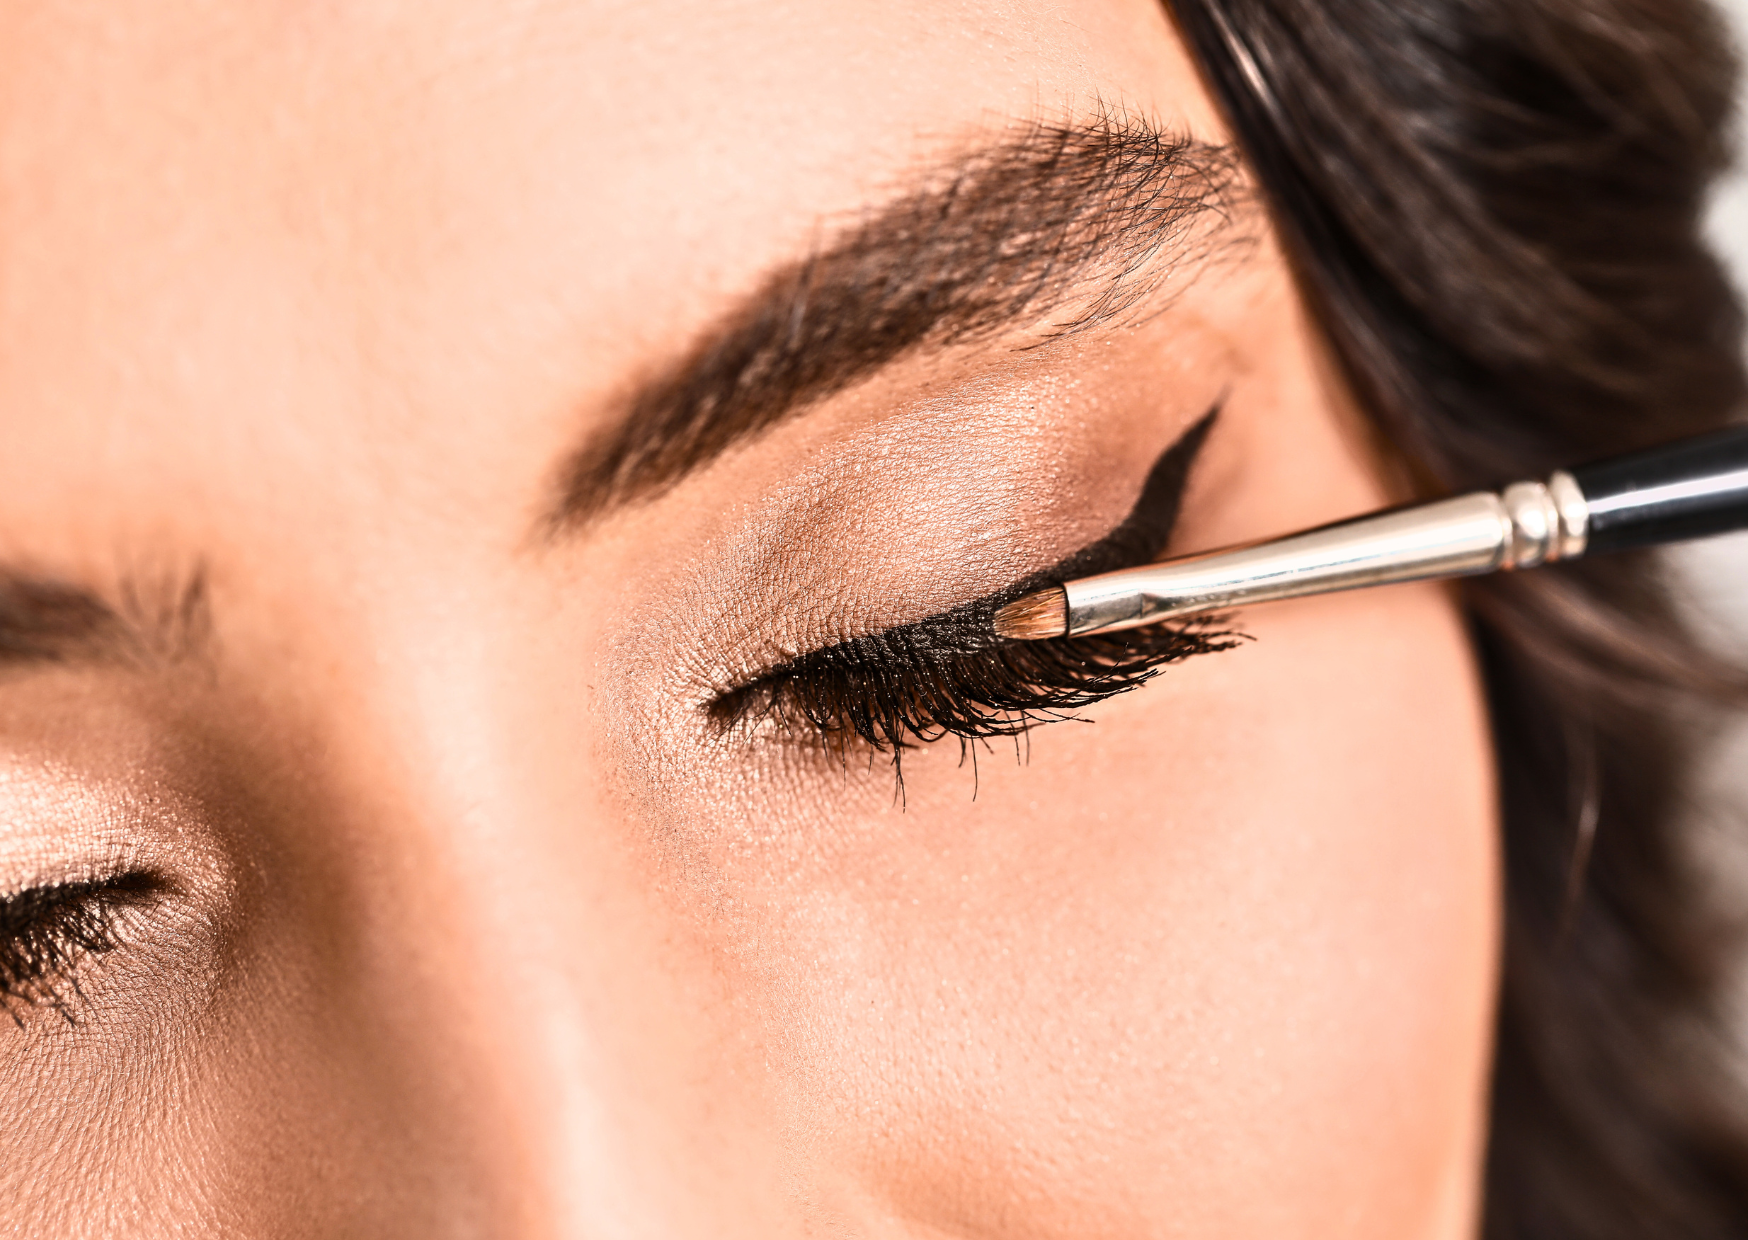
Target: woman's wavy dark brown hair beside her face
[1494,207]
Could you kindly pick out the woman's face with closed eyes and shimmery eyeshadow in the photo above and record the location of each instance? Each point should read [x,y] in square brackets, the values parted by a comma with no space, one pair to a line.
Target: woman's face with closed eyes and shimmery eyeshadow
[420,421]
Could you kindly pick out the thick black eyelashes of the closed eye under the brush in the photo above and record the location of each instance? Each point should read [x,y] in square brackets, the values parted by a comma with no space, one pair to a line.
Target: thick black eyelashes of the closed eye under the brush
[908,686]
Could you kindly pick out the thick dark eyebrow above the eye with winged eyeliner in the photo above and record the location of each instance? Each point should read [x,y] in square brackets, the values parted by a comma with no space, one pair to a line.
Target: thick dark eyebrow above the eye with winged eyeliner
[1079,221]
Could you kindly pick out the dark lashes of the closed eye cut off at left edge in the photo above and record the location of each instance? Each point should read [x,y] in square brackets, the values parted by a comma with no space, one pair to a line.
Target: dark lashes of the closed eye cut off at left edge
[48,933]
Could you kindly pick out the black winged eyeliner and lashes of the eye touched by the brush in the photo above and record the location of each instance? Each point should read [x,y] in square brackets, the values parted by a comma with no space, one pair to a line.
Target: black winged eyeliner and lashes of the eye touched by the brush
[950,676]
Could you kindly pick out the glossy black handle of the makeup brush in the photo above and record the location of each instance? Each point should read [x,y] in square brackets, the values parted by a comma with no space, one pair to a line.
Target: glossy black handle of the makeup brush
[1686,491]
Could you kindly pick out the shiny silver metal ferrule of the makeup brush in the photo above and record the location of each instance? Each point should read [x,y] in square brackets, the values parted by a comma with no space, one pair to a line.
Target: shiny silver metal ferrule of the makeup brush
[1525,526]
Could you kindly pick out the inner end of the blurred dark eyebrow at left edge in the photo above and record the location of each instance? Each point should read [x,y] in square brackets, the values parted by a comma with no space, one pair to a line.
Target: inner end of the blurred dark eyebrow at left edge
[48,622]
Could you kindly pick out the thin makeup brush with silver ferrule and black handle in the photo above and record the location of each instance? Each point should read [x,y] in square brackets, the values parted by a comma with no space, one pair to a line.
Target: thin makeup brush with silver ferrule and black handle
[1686,491]
